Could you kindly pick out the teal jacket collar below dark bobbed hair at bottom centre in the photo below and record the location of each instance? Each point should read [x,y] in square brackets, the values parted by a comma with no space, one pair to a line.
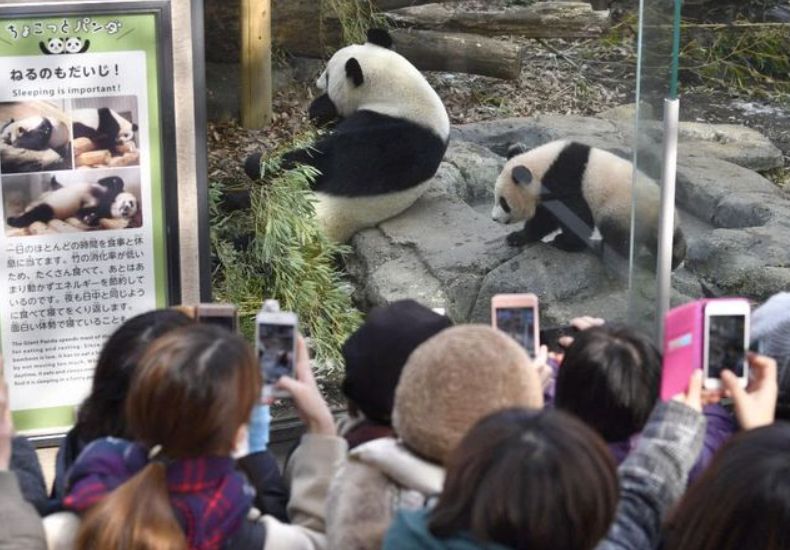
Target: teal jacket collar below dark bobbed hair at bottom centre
[409,531]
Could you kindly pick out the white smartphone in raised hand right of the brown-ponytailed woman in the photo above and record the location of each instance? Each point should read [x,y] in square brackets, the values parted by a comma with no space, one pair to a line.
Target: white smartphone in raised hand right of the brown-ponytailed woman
[275,343]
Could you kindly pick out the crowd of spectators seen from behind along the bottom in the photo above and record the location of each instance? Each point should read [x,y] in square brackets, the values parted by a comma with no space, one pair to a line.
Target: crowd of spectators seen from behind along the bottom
[454,438]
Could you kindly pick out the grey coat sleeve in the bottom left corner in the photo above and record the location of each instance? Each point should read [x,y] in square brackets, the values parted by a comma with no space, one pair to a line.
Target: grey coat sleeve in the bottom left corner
[20,524]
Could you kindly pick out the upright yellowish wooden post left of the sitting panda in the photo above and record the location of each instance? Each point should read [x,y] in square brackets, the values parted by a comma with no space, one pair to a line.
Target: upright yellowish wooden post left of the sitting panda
[256,63]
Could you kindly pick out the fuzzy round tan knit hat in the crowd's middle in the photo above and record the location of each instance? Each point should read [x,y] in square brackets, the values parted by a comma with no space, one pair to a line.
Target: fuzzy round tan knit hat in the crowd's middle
[455,379]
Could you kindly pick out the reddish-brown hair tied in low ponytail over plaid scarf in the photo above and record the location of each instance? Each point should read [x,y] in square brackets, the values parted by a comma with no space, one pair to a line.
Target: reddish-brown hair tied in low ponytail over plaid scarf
[194,388]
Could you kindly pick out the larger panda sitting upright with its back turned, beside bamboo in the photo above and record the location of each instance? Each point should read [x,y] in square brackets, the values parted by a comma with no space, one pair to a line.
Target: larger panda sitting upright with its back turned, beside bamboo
[391,137]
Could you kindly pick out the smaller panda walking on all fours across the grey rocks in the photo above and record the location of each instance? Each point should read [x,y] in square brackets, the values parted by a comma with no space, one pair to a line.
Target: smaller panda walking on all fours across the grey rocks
[576,188]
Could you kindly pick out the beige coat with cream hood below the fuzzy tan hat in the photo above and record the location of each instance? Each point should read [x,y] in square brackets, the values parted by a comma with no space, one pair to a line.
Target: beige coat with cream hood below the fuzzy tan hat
[379,478]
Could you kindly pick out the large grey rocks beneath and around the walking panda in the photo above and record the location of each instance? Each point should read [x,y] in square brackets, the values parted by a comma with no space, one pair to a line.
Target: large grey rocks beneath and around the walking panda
[445,251]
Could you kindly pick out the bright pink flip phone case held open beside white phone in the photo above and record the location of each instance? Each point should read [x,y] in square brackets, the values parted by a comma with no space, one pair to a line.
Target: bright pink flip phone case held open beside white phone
[683,340]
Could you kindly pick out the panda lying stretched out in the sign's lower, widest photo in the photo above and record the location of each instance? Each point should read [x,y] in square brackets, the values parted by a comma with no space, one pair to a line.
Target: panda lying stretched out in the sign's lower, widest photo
[89,202]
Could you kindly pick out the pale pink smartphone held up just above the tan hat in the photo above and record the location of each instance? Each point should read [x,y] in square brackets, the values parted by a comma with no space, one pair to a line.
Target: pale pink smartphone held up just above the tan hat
[517,316]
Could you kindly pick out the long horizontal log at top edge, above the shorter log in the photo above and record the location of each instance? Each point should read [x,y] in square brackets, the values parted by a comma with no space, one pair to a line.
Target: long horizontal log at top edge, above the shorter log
[541,20]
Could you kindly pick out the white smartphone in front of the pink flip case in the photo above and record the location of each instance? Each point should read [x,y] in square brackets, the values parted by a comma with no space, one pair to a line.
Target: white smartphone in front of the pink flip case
[726,333]
